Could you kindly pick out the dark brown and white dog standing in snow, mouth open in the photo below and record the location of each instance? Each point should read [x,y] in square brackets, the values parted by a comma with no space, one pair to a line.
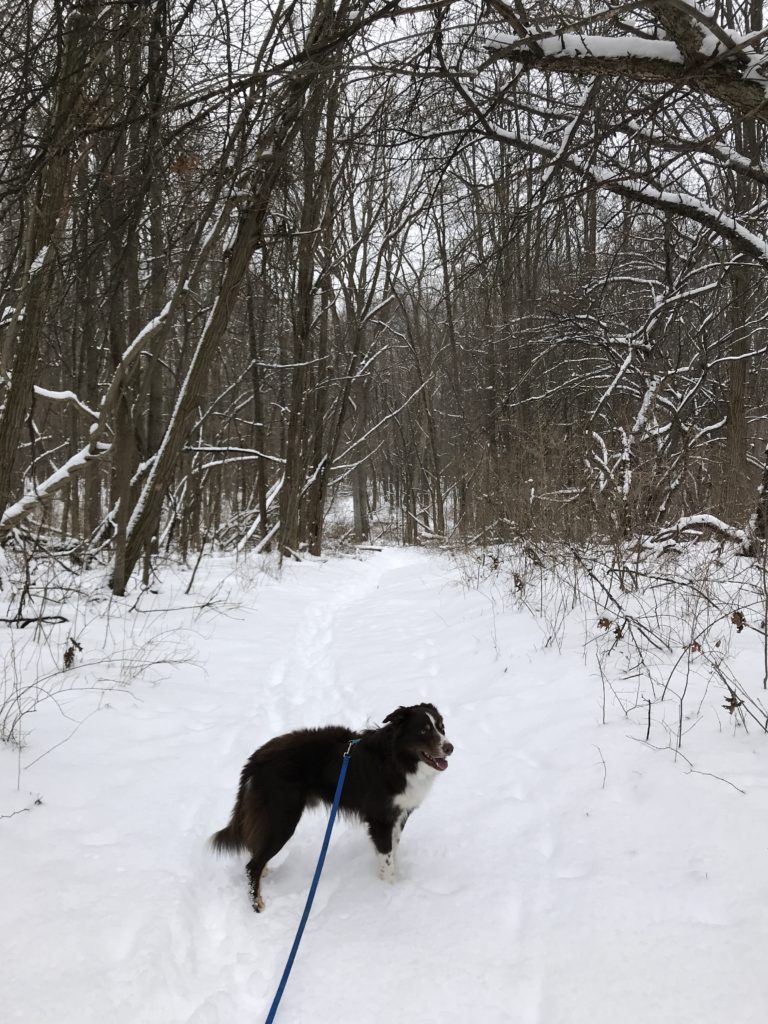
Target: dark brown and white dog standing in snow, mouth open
[392,771]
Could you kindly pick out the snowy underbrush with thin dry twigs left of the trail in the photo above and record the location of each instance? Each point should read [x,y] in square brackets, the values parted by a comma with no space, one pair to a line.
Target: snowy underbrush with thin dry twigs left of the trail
[64,634]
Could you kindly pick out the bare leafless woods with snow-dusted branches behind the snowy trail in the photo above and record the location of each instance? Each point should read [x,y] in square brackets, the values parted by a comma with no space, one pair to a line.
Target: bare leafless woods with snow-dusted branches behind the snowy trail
[487,271]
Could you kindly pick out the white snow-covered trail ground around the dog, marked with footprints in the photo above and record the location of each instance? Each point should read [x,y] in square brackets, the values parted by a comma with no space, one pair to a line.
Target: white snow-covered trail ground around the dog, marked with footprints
[562,871]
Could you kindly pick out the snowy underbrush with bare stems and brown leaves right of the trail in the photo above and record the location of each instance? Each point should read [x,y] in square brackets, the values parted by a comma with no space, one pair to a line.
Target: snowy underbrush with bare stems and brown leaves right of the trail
[677,638]
